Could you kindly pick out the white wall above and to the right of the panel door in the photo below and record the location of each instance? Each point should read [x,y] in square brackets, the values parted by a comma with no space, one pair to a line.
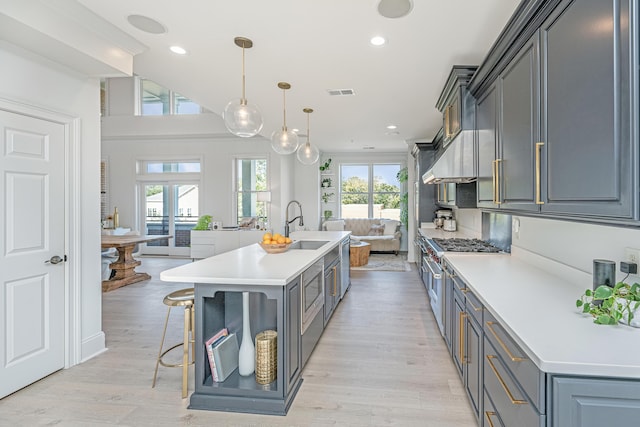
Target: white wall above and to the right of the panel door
[27,78]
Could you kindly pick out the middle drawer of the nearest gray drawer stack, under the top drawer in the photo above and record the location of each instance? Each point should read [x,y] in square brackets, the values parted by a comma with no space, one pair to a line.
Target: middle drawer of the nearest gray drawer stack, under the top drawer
[508,399]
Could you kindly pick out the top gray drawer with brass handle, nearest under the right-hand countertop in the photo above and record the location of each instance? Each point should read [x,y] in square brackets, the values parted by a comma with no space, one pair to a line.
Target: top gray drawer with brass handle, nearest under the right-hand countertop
[520,366]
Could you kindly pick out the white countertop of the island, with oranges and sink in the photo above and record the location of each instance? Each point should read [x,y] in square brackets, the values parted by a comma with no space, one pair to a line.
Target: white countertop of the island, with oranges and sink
[251,265]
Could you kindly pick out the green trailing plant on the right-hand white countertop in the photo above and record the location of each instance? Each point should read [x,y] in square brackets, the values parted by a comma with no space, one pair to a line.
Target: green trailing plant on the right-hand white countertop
[608,305]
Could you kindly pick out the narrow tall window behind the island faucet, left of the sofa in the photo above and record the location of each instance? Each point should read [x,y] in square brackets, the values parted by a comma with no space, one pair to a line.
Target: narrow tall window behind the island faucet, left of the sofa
[250,178]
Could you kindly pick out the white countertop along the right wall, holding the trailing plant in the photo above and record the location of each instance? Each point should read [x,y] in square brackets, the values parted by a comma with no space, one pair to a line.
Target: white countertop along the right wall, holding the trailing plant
[538,309]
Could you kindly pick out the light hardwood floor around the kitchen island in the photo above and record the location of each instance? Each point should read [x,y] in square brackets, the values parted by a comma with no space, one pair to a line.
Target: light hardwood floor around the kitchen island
[380,362]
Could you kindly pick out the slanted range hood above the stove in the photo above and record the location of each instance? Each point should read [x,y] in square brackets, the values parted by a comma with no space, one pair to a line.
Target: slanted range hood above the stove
[456,164]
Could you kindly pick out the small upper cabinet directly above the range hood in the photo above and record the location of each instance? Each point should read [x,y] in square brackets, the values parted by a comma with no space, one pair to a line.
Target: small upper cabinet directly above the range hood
[455,103]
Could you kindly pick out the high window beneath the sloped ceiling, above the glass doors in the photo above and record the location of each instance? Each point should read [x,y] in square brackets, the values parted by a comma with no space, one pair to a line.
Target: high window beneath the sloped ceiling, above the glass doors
[158,101]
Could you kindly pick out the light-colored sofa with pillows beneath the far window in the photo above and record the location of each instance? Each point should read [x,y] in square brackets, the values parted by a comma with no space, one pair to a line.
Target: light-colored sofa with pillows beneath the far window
[382,234]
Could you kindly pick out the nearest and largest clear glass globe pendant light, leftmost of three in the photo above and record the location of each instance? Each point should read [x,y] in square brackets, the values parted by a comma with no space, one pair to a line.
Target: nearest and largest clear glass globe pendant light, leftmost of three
[241,118]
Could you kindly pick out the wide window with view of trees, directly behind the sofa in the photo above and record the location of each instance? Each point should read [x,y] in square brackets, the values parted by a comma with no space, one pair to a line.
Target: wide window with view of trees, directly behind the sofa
[370,191]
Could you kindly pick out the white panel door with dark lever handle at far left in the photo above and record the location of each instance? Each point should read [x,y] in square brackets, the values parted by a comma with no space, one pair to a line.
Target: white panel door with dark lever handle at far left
[32,217]
